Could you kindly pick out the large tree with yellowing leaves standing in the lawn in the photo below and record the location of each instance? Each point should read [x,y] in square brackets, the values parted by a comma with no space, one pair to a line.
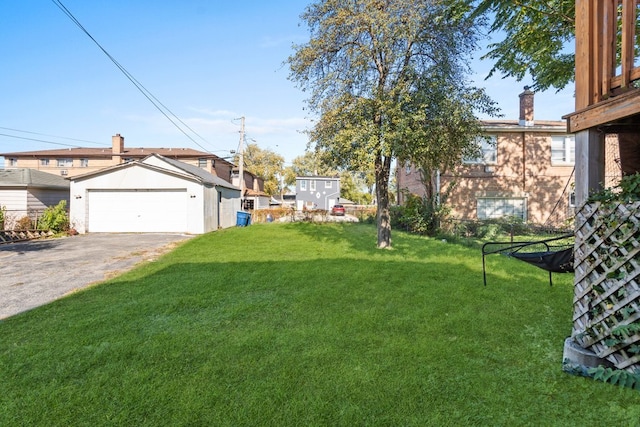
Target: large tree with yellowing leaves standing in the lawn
[362,67]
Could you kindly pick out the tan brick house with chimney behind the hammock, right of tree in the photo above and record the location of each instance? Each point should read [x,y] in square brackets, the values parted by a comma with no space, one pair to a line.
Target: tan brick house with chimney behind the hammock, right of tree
[526,171]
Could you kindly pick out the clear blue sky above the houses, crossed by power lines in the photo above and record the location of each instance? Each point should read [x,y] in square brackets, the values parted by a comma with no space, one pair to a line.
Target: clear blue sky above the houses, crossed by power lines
[210,62]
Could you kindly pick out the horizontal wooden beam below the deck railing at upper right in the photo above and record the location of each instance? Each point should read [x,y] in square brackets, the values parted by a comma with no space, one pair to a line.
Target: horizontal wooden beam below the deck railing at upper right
[612,109]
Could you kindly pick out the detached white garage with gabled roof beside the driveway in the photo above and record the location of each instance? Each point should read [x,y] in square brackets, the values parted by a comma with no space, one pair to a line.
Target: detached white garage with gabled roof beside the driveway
[154,195]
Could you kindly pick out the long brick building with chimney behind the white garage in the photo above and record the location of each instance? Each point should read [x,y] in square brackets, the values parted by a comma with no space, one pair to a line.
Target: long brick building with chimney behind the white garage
[71,162]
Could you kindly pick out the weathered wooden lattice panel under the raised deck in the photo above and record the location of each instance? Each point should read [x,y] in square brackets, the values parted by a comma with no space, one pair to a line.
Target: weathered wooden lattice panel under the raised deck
[606,316]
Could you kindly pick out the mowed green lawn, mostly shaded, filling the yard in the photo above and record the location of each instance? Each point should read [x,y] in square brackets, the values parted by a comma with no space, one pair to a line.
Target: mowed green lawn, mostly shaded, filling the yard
[306,325]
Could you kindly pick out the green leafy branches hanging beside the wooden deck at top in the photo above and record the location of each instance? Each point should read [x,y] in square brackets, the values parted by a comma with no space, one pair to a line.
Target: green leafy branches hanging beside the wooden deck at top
[538,37]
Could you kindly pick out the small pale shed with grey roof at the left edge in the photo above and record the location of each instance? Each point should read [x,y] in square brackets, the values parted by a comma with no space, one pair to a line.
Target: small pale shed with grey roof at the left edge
[28,192]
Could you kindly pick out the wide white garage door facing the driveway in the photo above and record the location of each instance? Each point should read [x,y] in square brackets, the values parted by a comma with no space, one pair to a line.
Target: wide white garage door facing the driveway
[137,211]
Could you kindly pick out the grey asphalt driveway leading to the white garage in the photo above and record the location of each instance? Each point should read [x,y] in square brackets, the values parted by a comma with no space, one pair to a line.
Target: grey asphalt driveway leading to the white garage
[36,272]
